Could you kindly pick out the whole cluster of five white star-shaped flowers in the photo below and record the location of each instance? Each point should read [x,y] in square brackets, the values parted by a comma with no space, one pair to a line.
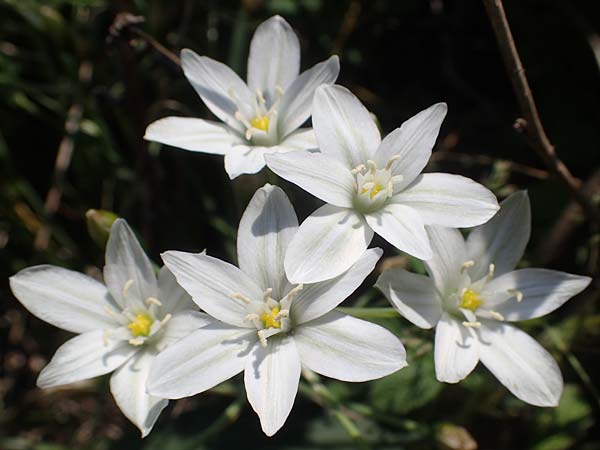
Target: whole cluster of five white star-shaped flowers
[182,329]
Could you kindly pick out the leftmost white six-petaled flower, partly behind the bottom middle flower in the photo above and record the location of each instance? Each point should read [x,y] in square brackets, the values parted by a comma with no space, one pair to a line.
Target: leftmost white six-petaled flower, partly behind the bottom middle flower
[121,326]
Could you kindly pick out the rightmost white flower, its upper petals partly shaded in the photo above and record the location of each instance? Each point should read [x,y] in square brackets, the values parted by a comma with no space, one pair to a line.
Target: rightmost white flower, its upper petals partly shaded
[473,291]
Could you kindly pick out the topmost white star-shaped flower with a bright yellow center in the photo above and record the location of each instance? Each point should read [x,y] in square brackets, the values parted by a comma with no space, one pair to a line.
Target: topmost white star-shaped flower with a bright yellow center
[259,118]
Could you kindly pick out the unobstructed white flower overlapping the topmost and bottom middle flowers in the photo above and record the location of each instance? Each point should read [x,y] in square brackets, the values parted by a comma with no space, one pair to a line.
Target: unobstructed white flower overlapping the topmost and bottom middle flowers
[370,186]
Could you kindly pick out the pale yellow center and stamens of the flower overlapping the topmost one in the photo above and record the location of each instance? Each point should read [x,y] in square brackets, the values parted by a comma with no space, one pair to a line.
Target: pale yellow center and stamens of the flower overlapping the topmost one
[374,186]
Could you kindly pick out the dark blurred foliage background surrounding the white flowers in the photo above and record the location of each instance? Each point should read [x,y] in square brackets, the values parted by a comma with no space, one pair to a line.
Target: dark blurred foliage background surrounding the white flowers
[71,88]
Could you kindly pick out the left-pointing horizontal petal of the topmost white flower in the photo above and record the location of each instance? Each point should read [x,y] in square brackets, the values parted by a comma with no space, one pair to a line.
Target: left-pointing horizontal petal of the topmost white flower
[192,134]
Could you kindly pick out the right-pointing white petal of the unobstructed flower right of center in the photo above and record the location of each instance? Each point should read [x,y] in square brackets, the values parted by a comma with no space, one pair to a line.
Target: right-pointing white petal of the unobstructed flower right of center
[449,200]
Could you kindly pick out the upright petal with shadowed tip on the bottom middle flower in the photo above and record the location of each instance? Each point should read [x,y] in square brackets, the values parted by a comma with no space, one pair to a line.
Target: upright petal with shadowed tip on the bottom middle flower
[265,231]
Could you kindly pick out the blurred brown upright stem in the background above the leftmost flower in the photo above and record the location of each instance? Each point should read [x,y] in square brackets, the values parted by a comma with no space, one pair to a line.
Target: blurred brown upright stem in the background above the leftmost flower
[62,163]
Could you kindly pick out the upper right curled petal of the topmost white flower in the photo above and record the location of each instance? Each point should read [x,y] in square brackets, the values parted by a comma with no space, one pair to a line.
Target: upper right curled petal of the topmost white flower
[296,104]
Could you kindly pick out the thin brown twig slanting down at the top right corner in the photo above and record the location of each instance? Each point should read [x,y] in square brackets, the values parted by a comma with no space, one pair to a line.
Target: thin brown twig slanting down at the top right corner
[531,124]
